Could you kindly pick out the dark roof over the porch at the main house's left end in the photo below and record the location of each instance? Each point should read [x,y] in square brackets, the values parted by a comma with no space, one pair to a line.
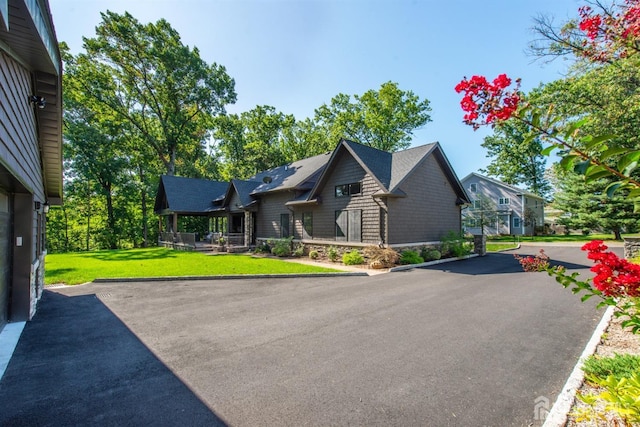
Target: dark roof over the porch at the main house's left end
[188,195]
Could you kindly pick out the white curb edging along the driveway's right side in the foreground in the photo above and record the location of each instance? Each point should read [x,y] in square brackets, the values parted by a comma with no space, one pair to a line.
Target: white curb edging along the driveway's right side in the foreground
[557,417]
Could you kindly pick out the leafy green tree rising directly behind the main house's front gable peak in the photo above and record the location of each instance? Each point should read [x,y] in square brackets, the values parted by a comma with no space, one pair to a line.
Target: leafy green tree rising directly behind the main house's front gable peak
[383,119]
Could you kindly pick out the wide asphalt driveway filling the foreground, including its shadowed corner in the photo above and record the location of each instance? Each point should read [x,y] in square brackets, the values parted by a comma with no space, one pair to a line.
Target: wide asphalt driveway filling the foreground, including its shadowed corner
[469,343]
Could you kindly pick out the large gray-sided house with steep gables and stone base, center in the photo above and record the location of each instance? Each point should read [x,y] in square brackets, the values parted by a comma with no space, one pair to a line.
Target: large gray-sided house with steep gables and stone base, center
[354,196]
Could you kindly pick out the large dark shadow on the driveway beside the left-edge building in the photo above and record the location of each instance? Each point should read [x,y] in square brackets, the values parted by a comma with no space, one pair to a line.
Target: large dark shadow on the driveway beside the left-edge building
[78,364]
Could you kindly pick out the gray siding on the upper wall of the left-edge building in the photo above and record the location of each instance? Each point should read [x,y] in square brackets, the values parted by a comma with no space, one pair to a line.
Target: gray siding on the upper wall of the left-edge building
[19,151]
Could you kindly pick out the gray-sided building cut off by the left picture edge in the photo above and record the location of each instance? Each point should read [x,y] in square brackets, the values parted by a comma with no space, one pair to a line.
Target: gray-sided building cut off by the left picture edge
[31,147]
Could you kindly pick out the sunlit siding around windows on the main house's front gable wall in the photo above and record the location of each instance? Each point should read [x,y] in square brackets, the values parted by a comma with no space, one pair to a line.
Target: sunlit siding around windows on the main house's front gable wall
[346,170]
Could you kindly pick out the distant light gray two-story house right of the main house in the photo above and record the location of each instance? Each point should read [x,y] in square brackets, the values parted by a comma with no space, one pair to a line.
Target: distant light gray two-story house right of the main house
[505,209]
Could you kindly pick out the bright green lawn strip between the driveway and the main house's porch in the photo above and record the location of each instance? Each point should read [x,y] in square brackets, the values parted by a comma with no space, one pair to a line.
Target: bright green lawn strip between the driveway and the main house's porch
[82,267]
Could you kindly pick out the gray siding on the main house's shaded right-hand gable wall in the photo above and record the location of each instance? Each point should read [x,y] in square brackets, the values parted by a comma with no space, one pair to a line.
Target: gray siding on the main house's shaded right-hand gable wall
[429,211]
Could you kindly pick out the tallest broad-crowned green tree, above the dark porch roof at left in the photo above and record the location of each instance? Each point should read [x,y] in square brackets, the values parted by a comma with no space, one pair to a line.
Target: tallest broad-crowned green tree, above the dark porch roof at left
[149,78]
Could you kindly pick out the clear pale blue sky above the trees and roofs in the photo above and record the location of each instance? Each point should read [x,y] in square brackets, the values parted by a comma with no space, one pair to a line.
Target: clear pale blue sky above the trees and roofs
[297,55]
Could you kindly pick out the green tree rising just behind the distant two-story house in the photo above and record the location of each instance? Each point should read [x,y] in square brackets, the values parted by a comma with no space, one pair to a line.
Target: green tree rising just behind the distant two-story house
[516,158]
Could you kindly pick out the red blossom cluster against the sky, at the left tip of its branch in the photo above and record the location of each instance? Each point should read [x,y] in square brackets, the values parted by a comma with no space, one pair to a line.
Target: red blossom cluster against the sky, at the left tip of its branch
[487,102]
